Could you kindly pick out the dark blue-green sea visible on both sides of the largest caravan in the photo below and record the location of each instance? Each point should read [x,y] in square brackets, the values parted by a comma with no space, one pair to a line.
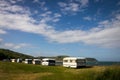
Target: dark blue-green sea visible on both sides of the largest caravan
[99,63]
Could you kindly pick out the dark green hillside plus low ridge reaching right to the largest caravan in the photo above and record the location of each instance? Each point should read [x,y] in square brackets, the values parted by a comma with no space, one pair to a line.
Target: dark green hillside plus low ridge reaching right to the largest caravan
[9,54]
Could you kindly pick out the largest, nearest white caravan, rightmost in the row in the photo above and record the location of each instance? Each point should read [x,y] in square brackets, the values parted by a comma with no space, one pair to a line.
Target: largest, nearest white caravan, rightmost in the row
[74,62]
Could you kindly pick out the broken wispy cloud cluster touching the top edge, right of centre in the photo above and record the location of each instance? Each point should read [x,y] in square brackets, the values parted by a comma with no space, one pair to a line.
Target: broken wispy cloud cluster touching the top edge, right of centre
[73,6]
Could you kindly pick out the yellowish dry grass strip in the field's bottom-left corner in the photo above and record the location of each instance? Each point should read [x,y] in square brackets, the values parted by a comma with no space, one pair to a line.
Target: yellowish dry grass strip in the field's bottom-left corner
[23,76]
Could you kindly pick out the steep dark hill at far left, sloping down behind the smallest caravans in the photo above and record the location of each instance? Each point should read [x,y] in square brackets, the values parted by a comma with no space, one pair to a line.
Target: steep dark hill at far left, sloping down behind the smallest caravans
[8,54]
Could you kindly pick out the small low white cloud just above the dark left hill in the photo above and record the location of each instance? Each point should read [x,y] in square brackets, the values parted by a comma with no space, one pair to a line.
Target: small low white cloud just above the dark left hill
[15,46]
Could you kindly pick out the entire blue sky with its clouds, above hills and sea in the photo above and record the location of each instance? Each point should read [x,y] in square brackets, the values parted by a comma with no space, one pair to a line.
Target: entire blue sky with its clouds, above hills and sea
[87,28]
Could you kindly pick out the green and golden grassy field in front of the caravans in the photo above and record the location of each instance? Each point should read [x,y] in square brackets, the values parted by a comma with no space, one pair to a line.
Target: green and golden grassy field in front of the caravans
[18,71]
